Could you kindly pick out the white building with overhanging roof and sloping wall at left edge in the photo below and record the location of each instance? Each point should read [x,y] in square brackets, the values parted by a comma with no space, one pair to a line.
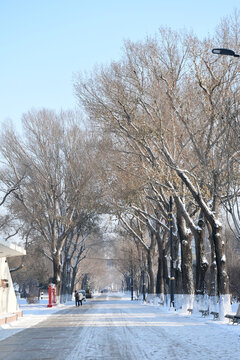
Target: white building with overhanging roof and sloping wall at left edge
[9,309]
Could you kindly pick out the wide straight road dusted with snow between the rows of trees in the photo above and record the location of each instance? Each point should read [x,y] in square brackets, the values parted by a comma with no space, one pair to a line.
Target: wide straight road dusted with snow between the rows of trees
[111,327]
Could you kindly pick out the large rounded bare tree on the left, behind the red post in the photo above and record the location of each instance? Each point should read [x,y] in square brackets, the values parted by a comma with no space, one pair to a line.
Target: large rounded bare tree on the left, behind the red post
[57,158]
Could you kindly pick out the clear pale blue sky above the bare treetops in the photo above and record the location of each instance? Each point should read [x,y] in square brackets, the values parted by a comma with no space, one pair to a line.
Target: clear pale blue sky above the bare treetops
[44,42]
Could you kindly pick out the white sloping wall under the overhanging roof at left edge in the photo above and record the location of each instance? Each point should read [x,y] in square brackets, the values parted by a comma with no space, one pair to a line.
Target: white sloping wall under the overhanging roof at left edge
[8,300]
